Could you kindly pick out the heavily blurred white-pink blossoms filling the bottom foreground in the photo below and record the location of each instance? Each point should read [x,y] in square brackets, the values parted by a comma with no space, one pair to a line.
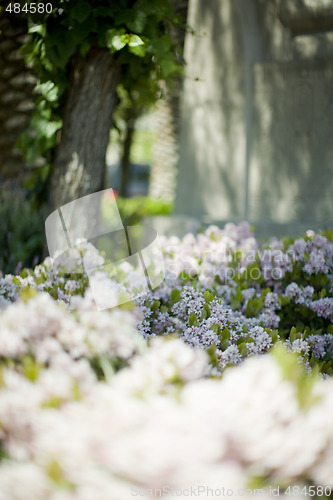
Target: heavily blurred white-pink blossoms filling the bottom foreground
[67,436]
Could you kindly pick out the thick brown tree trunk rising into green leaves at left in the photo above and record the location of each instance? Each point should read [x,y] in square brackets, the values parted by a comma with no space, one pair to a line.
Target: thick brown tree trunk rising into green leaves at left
[79,167]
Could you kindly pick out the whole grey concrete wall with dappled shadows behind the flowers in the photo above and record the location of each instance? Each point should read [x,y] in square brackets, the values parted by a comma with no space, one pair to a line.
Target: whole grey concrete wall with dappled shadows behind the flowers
[256,114]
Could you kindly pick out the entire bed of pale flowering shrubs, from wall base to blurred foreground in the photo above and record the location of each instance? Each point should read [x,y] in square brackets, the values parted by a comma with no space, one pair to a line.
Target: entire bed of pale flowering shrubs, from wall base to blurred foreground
[81,387]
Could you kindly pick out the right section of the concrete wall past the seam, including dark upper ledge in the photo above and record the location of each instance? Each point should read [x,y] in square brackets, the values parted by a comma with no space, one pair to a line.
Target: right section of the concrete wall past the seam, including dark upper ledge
[290,169]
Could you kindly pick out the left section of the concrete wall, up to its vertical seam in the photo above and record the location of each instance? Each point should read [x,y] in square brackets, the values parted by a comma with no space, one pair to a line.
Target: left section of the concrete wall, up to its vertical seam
[212,136]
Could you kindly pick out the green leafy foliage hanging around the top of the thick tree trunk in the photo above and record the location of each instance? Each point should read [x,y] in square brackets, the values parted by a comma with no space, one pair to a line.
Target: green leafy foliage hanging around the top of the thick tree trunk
[137,32]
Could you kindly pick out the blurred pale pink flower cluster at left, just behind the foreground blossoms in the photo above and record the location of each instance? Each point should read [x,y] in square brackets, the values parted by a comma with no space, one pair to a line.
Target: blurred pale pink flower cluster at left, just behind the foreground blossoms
[47,330]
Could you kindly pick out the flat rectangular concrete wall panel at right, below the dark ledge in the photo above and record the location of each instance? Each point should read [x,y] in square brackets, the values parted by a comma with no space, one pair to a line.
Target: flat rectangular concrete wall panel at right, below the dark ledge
[292,152]
